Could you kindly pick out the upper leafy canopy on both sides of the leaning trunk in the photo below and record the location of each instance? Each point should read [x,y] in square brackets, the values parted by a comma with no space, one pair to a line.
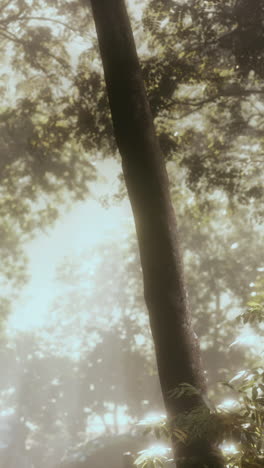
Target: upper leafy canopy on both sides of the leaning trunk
[195,70]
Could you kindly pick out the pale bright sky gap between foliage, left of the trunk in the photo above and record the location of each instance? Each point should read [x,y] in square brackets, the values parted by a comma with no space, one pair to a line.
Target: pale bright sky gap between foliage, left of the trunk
[87,225]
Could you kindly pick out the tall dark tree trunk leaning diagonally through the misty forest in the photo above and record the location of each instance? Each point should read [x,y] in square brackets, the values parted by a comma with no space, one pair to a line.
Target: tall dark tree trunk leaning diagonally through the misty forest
[176,345]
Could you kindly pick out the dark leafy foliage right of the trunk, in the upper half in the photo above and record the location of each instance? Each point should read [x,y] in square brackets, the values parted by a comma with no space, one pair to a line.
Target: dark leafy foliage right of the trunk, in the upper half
[205,115]
